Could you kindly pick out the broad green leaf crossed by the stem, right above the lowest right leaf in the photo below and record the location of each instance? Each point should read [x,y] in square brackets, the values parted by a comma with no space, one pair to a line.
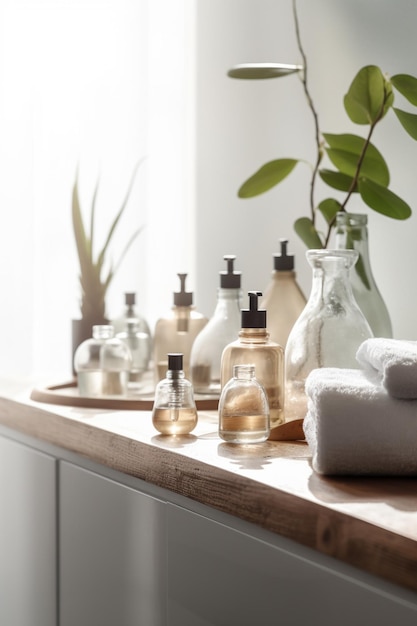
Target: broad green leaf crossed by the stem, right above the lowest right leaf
[344,152]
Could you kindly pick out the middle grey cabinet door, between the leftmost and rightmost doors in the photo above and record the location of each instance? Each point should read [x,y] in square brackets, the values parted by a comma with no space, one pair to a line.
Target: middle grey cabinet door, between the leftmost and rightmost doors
[112,552]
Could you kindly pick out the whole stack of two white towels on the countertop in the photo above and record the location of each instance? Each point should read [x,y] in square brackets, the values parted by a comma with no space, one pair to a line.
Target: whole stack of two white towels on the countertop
[364,421]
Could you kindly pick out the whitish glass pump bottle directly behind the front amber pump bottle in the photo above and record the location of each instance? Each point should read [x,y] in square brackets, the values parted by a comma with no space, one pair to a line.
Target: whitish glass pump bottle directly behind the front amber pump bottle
[222,328]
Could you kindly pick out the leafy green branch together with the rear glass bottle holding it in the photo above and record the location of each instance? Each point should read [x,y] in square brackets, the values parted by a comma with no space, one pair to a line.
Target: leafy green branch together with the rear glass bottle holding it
[355,167]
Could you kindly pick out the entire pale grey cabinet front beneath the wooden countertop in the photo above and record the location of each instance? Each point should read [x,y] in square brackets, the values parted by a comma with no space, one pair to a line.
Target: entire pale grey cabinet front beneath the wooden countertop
[81,545]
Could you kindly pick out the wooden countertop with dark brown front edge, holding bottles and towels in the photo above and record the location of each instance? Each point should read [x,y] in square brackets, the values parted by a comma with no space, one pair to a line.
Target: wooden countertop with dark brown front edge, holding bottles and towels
[370,523]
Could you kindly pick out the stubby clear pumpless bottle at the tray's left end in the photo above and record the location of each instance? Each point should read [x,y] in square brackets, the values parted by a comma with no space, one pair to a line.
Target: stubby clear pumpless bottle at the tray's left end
[102,364]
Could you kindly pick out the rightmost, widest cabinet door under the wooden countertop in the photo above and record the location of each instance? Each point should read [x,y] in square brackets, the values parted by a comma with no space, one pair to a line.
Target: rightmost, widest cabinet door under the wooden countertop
[220,576]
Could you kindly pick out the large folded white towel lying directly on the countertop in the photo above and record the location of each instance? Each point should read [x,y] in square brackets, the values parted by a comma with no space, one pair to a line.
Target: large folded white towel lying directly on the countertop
[355,427]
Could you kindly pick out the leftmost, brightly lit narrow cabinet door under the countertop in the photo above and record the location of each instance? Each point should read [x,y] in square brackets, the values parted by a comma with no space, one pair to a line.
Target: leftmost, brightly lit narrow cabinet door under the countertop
[27,536]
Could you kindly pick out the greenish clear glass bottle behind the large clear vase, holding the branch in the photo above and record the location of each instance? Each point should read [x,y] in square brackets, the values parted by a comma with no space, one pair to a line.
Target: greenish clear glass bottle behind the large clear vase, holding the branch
[352,233]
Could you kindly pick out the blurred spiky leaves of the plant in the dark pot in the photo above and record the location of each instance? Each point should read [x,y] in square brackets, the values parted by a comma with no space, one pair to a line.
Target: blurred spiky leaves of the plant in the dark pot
[96,273]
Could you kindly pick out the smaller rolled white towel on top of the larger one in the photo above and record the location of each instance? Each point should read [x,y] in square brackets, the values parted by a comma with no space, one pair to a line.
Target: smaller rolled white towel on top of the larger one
[392,362]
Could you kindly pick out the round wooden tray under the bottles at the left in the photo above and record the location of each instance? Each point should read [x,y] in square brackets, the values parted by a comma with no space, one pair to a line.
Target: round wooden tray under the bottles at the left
[67,394]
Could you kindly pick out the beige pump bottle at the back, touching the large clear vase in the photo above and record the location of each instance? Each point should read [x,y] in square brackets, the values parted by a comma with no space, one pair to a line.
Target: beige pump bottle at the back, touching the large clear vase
[283,297]
